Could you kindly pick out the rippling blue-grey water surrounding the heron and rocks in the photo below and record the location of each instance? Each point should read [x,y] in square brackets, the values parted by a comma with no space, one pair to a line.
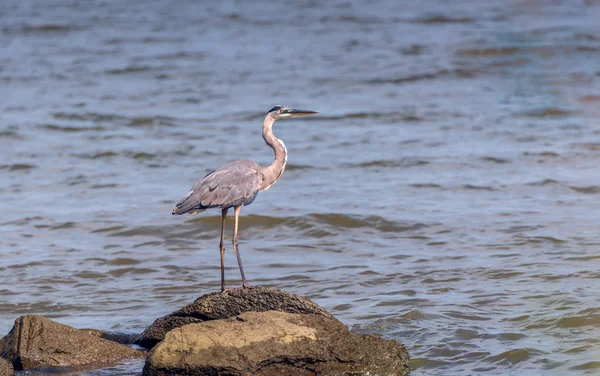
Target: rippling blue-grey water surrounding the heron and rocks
[446,196]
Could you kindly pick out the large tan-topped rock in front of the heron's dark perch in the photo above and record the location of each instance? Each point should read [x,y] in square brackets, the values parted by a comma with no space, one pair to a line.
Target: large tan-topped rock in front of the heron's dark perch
[274,343]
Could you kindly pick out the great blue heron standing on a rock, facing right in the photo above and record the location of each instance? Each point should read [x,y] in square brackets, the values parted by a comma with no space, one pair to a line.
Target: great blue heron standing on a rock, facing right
[238,183]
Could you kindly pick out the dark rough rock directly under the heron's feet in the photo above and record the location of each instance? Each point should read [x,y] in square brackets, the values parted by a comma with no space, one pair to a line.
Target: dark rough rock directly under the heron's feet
[218,306]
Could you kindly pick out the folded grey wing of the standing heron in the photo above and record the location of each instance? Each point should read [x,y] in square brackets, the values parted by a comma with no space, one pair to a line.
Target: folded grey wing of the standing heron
[234,184]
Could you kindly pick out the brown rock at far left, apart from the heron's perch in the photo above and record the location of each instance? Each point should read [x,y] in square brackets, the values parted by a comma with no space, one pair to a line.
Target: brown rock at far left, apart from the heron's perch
[36,341]
